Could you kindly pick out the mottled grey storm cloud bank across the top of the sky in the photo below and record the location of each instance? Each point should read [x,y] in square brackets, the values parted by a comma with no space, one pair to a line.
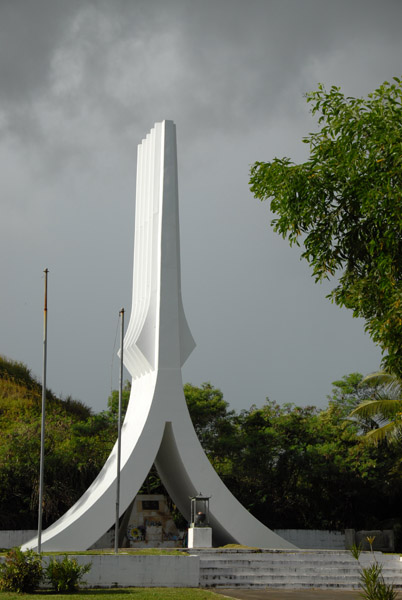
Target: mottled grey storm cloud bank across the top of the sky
[215,64]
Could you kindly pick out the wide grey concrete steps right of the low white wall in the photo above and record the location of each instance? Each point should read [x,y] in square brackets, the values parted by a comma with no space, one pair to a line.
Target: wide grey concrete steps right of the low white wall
[227,568]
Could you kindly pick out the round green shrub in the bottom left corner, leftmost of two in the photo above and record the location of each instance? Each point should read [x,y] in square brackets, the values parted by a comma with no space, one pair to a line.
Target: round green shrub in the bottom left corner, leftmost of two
[21,571]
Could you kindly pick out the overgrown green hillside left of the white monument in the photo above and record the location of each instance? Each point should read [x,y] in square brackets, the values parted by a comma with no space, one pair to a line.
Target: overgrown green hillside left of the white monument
[77,444]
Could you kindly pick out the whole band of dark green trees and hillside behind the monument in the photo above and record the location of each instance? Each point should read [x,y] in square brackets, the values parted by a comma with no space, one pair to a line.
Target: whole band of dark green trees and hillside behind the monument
[291,466]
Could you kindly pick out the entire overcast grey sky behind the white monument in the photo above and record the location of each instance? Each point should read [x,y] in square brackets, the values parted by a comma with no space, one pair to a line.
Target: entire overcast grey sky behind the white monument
[81,83]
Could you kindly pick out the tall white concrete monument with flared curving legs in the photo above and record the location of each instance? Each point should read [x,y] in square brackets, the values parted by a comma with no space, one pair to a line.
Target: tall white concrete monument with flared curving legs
[157,426]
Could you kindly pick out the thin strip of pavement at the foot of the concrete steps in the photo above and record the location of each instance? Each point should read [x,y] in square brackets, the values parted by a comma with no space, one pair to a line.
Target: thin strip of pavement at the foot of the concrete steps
[271,594]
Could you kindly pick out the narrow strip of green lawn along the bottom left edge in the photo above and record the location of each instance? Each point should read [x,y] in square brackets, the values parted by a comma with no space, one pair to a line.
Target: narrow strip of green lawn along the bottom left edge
[120,594]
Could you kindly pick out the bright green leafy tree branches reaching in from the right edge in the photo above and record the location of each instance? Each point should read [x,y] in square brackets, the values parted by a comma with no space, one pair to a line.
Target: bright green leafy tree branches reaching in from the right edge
[344,204]
